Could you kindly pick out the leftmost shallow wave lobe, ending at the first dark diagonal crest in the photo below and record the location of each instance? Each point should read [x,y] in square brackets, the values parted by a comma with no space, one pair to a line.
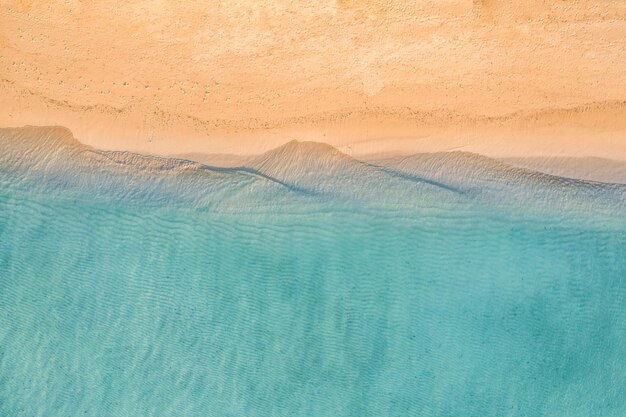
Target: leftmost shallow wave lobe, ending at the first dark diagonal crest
[53,162]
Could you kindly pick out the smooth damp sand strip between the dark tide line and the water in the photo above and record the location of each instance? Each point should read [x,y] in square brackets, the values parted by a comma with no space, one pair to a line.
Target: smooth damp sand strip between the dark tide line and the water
[592,130]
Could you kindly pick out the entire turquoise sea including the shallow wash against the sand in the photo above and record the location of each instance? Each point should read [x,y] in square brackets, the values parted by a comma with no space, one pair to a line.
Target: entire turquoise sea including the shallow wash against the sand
[305,284]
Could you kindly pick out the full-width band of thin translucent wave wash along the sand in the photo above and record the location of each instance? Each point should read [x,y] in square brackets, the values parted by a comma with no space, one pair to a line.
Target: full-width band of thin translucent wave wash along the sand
[297,174]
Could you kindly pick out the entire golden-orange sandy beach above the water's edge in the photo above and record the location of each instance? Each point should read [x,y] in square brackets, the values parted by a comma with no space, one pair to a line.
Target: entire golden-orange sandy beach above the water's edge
[504,79]
